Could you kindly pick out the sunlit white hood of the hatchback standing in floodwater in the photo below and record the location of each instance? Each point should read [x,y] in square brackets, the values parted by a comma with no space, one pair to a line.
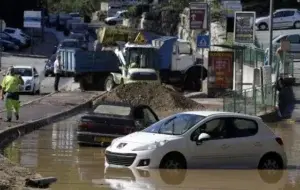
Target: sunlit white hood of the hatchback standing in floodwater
[139,139]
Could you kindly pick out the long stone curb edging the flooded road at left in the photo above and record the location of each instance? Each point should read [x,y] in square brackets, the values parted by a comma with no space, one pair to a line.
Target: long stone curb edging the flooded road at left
[11,134]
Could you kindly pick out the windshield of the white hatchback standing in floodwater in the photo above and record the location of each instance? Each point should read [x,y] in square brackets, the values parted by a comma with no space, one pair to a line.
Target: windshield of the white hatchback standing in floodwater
[175,125]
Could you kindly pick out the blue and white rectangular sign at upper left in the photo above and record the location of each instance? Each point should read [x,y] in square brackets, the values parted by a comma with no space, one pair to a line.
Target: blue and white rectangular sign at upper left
[32,19]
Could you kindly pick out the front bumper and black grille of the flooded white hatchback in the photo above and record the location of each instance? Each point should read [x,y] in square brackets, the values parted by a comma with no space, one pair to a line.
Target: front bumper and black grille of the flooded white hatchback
[132,159]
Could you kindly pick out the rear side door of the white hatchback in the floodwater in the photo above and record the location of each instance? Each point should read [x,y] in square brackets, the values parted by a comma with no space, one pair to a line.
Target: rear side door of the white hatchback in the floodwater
[243,146]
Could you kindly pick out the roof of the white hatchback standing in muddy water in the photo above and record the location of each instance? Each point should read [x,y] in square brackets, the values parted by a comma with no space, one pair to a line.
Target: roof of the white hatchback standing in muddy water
[219,113]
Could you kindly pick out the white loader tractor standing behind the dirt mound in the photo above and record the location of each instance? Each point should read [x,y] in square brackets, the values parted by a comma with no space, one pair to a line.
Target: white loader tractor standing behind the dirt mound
[138,63]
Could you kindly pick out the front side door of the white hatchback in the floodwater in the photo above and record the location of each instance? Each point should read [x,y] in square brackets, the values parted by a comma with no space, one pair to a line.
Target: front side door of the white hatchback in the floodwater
[213,152]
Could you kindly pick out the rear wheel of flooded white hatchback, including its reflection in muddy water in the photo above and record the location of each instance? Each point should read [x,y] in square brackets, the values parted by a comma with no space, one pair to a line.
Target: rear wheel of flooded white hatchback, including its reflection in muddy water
[271,168]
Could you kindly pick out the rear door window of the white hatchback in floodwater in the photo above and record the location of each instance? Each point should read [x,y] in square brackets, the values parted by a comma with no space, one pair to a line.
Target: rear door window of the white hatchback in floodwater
[244,128]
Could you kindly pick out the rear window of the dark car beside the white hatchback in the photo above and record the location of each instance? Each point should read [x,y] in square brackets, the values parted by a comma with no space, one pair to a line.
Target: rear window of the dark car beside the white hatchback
[113,110]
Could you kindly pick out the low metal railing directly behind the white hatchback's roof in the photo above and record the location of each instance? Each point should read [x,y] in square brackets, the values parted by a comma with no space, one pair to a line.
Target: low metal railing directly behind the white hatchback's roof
[252,101]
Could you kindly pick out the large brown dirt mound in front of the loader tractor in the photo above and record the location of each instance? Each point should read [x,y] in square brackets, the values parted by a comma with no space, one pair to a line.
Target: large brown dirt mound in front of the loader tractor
[155,95]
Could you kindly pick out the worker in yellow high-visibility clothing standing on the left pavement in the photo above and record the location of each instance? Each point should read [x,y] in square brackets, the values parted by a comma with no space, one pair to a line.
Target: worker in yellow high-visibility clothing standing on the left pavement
[10,93]
